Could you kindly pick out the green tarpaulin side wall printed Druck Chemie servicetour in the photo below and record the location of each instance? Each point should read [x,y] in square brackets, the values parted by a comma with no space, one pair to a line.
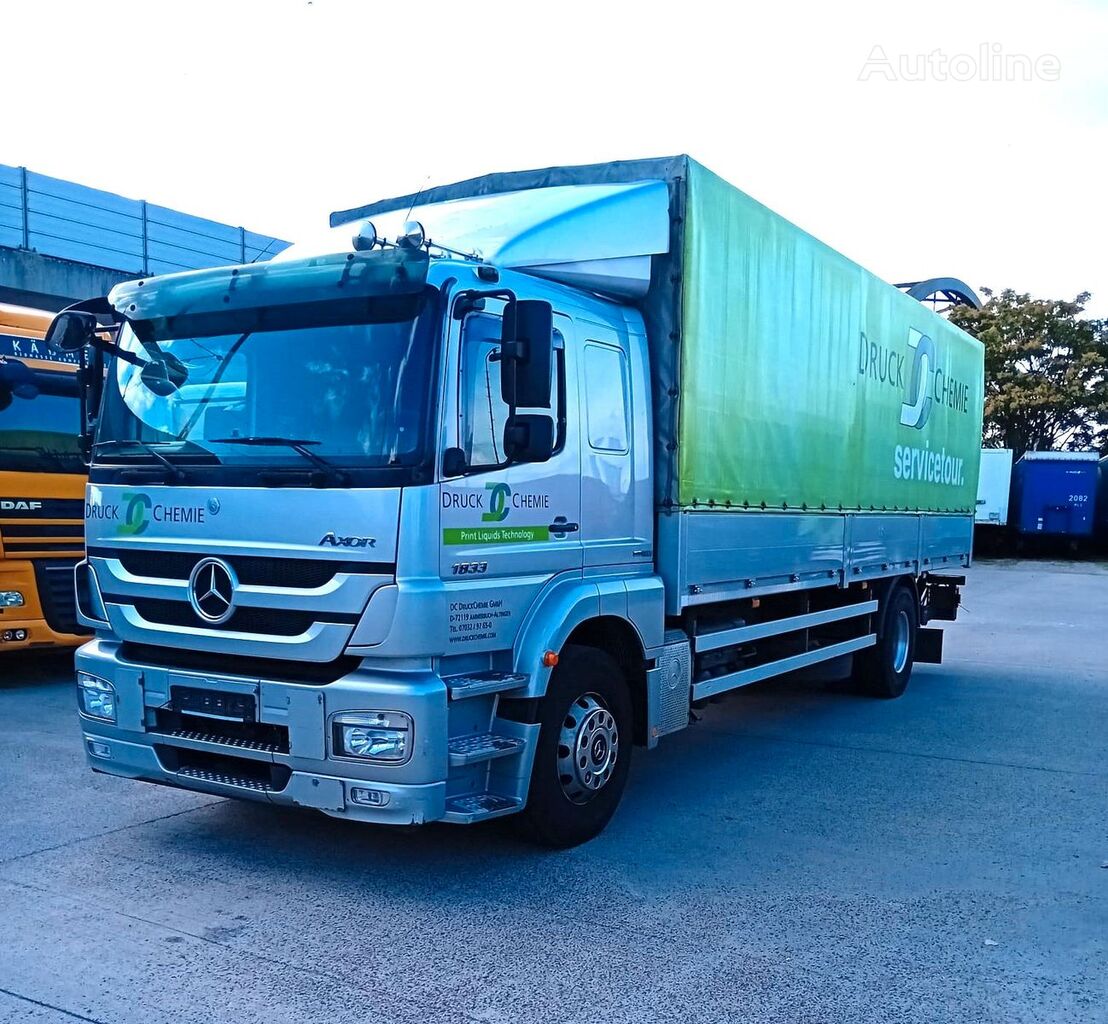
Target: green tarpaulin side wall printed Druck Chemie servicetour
[807,383]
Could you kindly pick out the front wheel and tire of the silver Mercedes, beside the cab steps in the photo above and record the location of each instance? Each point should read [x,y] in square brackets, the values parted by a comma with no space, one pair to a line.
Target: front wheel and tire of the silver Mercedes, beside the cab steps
[584,751]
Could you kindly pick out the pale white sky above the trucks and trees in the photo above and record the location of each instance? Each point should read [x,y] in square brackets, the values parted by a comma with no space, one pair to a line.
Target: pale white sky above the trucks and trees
[962,139]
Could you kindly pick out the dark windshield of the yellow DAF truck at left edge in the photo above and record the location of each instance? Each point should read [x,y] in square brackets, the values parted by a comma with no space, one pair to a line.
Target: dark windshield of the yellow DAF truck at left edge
[39,419]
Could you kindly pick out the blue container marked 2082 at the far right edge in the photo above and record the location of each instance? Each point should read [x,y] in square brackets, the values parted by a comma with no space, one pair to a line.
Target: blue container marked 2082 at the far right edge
[1055,493]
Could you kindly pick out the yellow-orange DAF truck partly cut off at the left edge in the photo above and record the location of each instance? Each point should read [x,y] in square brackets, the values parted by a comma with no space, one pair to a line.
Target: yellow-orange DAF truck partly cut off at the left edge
[43,480]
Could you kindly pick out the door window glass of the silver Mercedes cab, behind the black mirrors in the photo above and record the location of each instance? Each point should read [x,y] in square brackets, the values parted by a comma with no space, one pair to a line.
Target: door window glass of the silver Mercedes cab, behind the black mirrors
[483,413]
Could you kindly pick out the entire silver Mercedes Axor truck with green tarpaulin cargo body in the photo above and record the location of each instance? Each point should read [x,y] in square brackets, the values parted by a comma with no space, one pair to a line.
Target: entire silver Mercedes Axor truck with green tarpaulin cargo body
[438,516]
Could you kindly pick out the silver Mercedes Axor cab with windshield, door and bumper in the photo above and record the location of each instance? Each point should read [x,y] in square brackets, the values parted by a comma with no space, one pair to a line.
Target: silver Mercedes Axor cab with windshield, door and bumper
[322,569]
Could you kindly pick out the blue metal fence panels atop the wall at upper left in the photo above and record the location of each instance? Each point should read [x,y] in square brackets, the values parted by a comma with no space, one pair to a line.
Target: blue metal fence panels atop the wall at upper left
[86,226]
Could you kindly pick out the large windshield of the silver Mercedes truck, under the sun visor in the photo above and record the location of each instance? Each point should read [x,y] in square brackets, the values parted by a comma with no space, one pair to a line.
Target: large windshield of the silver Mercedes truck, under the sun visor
[353,395]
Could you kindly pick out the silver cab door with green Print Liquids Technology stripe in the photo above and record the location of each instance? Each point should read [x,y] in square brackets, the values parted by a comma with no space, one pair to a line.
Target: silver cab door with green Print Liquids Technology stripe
[506,533]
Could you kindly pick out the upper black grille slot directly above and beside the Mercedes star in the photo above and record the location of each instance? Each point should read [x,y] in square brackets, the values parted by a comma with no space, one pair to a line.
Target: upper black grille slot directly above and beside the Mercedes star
[252,570]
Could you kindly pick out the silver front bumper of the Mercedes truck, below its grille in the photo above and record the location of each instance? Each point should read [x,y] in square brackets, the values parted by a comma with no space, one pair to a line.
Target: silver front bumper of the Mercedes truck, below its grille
[306,773]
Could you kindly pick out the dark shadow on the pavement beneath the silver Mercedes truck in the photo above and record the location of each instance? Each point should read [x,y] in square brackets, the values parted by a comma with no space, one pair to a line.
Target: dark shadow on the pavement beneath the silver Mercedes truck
[695,782]
